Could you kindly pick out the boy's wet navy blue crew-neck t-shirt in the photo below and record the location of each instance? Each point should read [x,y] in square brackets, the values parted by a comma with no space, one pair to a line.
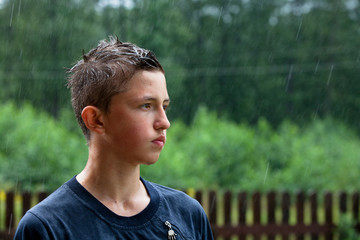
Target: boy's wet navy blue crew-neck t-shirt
[71,212]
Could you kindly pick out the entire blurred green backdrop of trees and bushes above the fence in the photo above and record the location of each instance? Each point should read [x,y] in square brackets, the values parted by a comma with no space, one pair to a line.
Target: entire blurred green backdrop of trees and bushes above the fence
[264,93]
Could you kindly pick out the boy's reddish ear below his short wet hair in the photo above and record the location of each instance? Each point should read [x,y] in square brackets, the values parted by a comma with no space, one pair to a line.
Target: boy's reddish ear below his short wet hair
[93,119]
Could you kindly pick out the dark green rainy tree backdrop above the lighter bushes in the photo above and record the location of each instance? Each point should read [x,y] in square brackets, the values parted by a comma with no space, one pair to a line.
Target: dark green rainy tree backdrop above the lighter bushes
[246,60]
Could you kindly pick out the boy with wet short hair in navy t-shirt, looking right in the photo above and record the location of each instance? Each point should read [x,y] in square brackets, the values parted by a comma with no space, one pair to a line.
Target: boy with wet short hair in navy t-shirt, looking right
[119,97]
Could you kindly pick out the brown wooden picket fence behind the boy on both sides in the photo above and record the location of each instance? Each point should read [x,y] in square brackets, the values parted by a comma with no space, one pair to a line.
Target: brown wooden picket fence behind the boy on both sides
[242,215]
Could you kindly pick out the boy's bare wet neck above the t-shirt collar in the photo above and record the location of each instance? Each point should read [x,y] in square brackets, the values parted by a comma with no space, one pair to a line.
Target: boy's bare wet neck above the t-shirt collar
[114,183]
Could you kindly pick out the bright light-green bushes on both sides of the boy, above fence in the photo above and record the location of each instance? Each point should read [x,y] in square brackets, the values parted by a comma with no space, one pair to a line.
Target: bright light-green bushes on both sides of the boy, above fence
[40,153]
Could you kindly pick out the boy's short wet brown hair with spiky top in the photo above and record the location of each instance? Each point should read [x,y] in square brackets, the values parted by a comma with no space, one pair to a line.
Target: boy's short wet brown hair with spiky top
[104,72]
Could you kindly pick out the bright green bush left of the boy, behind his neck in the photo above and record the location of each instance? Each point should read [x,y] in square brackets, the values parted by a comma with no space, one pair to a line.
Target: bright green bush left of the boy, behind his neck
[38,152]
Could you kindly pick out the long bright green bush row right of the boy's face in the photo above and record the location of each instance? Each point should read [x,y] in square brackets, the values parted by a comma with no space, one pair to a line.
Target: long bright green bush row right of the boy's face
[215,153]
